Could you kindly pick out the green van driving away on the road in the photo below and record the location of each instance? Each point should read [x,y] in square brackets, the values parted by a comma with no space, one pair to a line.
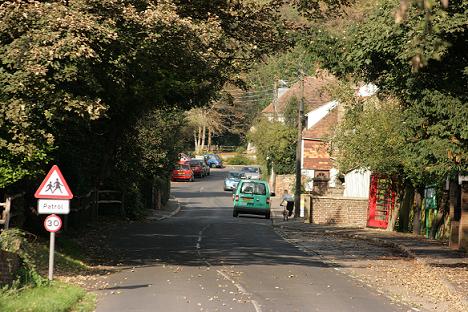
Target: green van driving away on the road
[252,197]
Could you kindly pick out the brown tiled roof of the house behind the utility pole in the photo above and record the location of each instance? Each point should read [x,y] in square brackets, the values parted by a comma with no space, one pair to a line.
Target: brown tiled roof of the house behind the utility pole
[315,93]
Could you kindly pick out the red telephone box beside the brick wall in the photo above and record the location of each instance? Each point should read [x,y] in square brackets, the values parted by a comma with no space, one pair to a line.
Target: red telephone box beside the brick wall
[381,201]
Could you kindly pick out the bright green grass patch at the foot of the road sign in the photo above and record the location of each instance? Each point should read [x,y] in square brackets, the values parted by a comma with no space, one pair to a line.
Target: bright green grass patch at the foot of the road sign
[53,297]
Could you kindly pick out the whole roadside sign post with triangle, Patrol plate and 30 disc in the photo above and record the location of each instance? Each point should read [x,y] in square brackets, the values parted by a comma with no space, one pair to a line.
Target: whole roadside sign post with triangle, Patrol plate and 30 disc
[54,198]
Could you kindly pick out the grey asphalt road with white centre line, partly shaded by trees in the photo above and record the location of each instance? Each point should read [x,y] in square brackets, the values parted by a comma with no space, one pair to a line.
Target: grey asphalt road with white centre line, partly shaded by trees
[203,259]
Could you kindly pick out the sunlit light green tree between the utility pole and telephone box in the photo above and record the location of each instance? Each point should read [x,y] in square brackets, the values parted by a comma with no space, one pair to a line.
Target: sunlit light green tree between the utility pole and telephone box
[370,136]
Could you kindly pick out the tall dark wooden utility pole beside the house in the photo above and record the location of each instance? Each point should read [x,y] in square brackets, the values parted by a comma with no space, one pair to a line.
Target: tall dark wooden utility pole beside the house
[300,117]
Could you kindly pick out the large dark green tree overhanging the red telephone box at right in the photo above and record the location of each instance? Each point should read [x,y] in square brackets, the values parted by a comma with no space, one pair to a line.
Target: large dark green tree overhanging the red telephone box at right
[424,68]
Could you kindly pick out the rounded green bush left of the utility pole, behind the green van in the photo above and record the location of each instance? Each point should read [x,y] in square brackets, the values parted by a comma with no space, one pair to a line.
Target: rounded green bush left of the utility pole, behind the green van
[275,144]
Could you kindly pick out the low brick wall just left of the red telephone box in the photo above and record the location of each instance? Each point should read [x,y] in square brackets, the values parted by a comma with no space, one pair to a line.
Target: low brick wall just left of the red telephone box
[339,210]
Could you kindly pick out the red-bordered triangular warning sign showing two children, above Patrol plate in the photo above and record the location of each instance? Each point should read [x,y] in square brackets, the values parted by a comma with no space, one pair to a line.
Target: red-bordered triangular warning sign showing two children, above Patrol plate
[54,186]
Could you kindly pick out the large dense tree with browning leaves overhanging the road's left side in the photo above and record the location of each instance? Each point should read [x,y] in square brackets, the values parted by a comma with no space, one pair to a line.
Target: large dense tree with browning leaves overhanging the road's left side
[98,87]
